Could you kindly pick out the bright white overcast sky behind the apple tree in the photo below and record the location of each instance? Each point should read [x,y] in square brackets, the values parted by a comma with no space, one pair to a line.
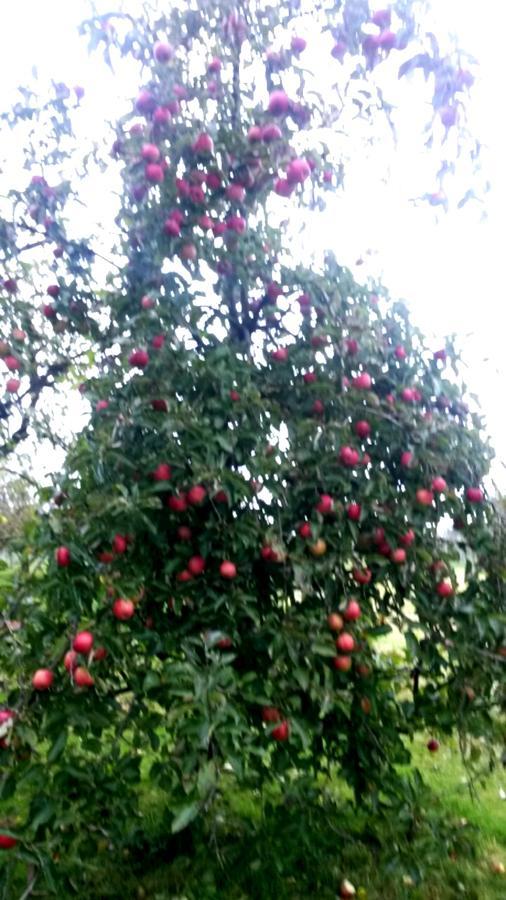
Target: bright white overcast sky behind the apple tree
[450,268]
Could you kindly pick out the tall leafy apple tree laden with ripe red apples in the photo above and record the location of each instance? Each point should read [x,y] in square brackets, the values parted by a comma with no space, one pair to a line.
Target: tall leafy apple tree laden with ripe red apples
[273,459]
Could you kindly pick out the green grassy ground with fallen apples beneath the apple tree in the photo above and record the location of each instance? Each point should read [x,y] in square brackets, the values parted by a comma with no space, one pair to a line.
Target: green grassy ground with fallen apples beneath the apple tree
[295,850]
